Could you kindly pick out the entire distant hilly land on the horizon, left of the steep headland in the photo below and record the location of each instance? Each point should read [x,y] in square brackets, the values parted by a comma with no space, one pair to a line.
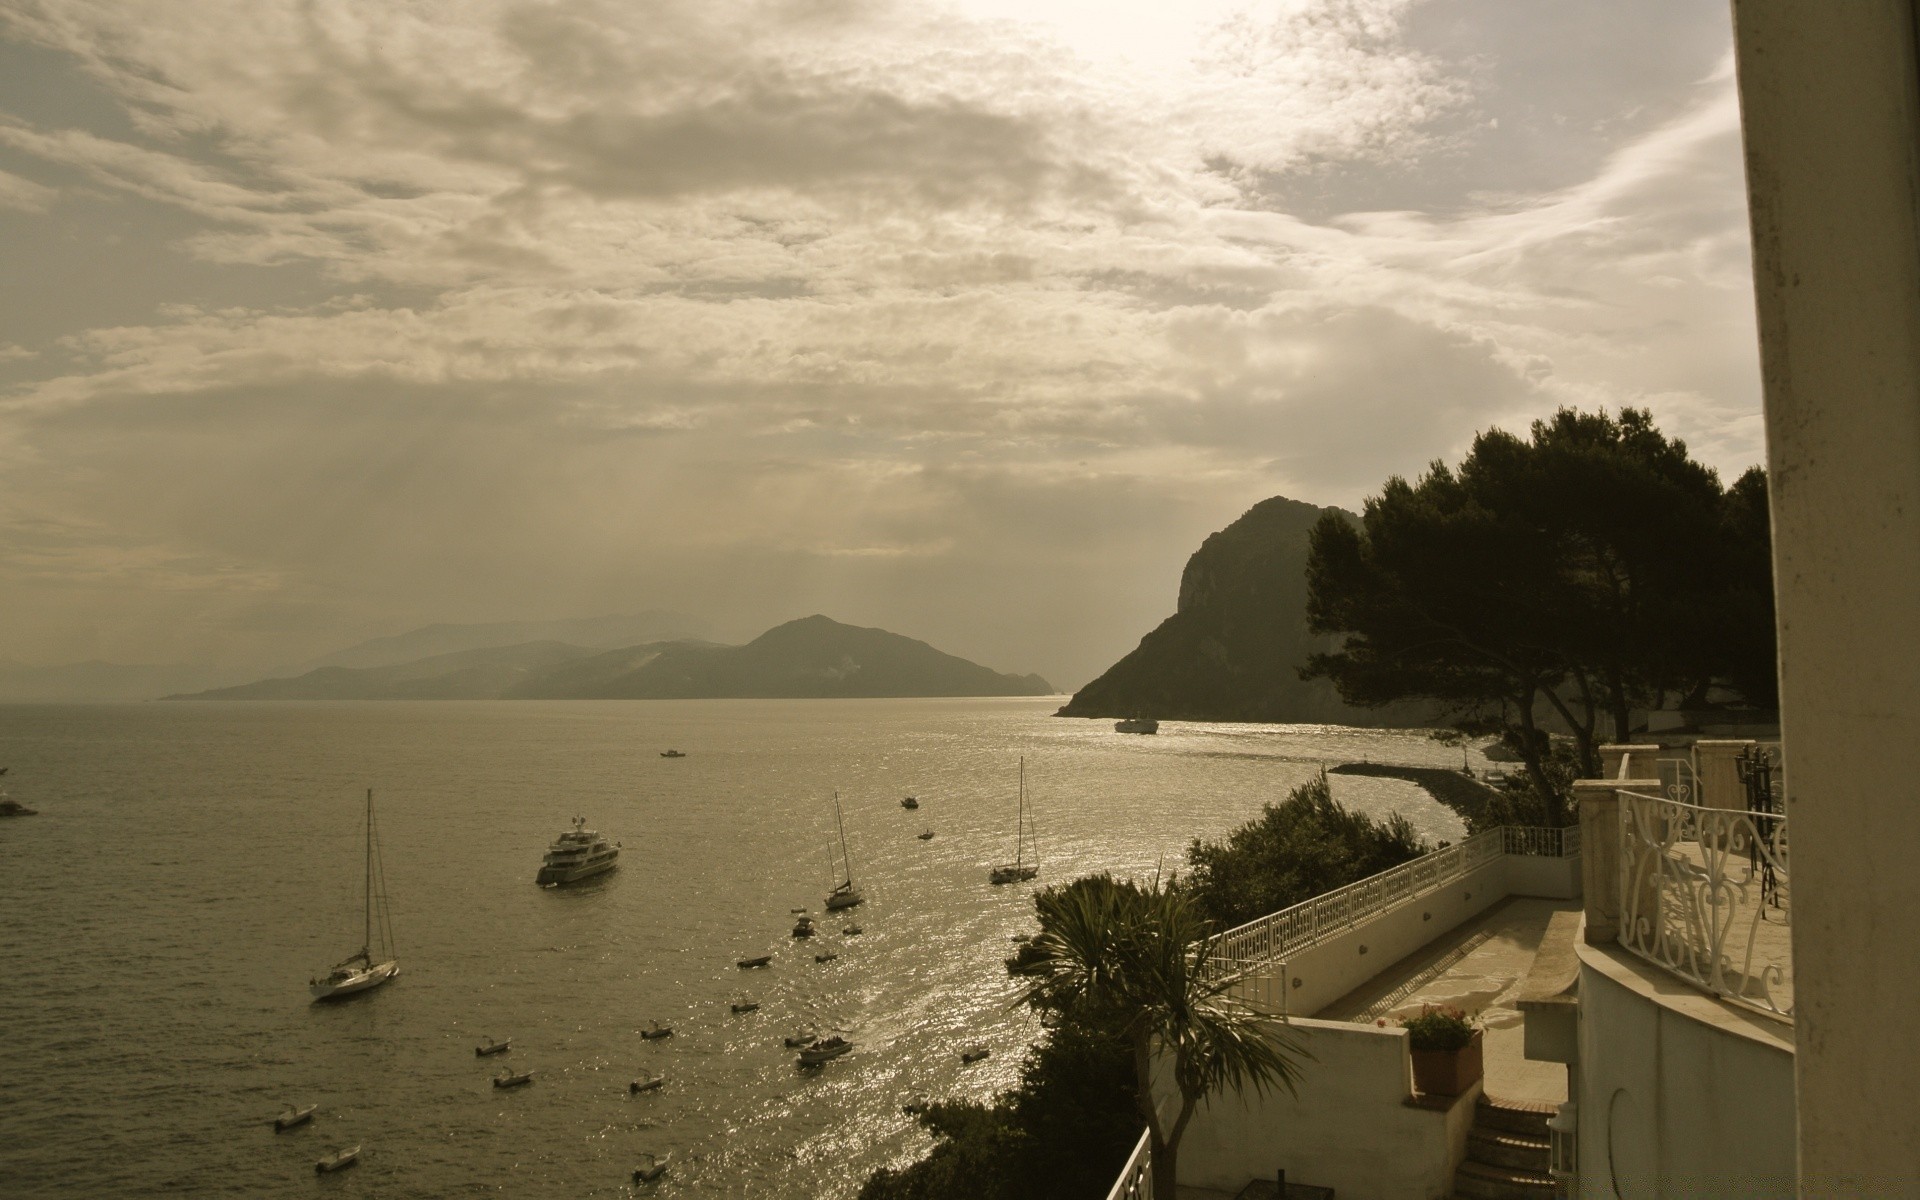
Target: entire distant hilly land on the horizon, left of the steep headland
[813,658]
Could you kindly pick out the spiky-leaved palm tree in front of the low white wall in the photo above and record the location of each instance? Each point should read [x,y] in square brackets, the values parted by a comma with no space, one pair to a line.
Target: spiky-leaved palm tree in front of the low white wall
[1136,961]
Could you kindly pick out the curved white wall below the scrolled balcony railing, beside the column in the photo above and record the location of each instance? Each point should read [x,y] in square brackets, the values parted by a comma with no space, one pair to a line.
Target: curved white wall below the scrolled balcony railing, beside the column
[1679,1093]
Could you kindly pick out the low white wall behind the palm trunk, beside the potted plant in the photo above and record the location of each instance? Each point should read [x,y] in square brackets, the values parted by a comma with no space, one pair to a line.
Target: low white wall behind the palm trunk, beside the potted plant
[1351,1128]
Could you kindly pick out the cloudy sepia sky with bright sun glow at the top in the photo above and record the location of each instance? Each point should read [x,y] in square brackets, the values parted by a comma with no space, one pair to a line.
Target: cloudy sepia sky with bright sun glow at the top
[324,320]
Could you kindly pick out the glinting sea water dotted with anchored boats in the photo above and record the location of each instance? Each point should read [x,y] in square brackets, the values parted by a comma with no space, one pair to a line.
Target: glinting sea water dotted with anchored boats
[193,865]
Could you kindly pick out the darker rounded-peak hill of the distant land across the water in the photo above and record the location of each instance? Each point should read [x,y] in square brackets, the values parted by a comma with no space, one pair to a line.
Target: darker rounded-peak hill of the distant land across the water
[809,658]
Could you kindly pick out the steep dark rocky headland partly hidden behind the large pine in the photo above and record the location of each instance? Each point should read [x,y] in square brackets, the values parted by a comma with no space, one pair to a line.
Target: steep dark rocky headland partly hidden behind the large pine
[1234,648]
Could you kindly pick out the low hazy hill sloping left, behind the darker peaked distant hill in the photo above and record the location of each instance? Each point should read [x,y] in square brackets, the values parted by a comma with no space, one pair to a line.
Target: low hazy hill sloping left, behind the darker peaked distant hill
[460,677]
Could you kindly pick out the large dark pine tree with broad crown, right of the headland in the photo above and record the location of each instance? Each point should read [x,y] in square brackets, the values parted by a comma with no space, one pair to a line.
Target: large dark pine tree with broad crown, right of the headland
[1585,571]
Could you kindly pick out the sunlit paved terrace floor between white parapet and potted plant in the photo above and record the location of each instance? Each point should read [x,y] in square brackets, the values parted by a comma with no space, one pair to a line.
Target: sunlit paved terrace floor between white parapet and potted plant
[1479,969]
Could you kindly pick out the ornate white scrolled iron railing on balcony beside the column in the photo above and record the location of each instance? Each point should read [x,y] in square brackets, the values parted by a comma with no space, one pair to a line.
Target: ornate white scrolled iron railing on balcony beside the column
[1706,894]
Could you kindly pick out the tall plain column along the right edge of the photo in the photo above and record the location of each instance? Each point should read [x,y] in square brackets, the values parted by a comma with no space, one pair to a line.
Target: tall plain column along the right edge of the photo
[1831,110]
